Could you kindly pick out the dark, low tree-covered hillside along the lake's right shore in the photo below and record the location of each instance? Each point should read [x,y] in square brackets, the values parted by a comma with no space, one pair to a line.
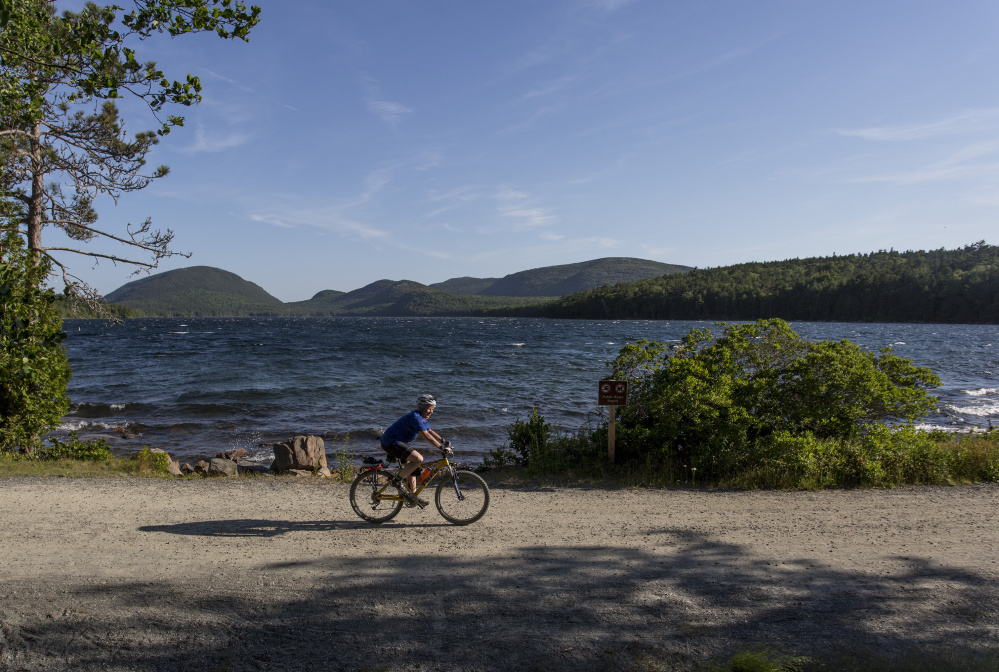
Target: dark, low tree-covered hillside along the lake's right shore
[959,285]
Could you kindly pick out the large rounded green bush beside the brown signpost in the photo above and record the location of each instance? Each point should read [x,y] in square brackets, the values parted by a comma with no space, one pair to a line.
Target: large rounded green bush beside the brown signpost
[716,404]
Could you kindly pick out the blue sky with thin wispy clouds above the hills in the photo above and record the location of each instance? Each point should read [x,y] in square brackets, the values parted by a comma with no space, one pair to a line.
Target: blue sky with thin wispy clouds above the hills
[348,142]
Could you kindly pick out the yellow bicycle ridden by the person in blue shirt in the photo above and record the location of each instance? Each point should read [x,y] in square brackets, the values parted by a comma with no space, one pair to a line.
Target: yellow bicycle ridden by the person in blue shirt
[462,497]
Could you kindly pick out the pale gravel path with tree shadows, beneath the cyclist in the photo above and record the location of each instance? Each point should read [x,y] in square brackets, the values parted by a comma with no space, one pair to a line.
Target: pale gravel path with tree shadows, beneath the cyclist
[279,574]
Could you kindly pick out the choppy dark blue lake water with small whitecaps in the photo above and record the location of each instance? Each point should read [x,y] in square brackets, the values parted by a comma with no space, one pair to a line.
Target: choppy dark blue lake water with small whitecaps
[198,386]
